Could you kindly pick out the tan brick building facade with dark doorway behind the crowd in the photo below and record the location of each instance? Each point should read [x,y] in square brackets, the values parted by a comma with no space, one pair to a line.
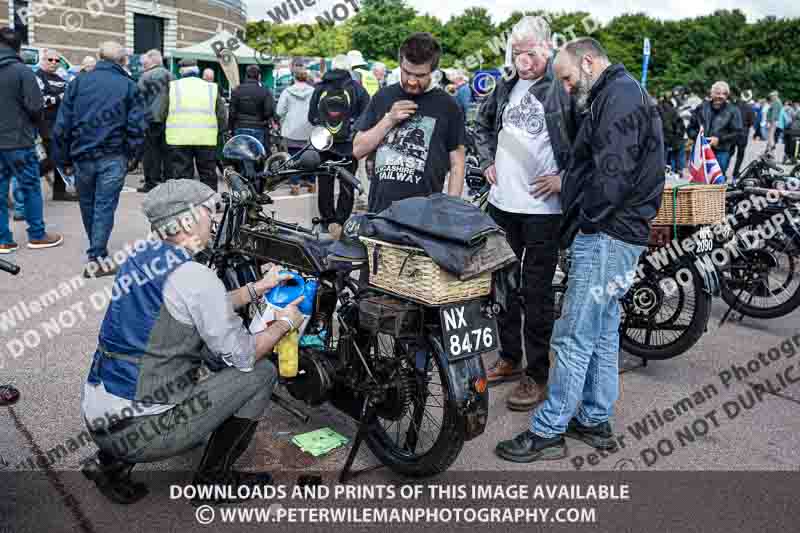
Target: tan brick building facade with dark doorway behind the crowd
[76,27]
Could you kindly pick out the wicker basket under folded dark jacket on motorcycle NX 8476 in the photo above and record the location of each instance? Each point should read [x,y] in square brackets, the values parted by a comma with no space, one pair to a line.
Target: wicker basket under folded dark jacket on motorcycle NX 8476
[408,271]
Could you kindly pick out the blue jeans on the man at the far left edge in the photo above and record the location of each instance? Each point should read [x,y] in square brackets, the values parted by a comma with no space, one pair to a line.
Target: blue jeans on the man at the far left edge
[21,166]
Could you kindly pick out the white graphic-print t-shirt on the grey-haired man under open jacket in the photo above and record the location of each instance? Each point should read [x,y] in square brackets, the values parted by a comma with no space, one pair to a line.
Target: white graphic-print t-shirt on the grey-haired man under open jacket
[524,152]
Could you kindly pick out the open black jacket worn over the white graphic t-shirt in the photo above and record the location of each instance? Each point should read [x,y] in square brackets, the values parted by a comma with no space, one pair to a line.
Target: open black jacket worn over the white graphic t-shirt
[559,114]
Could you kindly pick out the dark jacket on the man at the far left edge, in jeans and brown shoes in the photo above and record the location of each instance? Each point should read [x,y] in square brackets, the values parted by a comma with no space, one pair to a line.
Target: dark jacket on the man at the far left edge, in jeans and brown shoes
[22,102]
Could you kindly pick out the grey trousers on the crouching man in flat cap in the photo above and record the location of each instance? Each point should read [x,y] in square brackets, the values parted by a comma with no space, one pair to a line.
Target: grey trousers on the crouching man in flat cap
[227,393]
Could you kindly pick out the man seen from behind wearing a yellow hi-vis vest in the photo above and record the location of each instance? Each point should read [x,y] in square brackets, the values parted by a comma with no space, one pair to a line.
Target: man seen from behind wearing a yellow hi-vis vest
[195,115]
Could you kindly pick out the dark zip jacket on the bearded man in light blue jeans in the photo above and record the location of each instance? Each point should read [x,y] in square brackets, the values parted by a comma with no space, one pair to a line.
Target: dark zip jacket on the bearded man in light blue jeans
[615,178]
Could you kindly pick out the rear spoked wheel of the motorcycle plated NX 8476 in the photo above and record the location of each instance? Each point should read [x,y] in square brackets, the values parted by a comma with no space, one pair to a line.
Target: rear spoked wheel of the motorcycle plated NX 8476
[424,435]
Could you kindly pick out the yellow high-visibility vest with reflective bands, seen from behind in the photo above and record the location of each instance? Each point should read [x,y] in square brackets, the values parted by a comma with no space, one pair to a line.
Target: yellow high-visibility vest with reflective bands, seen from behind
[192,118]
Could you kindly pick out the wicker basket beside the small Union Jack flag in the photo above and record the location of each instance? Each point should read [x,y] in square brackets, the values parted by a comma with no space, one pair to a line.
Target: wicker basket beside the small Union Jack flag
[694,205]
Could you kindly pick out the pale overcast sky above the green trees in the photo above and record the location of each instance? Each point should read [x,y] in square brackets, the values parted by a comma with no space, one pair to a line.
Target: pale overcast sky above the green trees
[604,11]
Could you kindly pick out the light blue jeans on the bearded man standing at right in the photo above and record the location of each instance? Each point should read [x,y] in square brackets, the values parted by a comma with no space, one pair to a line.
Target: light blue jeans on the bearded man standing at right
[586,337]
